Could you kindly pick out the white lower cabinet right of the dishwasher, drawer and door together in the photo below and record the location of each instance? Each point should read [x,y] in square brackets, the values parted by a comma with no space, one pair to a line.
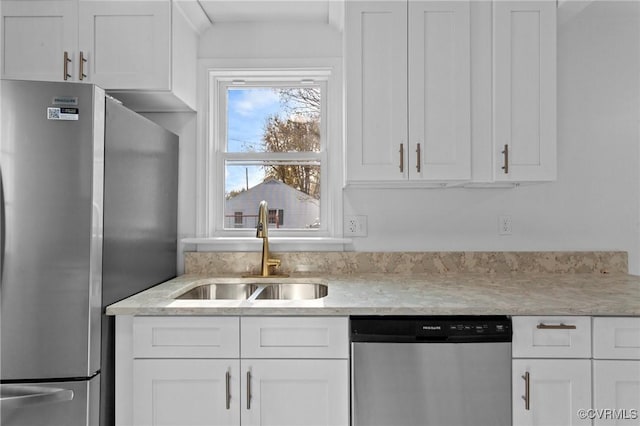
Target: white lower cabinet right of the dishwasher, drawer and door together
[551,370]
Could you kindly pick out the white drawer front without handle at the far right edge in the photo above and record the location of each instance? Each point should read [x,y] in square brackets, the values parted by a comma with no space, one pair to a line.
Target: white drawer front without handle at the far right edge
[616,338]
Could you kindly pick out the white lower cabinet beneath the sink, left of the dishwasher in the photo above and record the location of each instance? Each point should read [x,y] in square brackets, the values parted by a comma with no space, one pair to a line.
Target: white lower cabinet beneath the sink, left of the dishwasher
[188,371]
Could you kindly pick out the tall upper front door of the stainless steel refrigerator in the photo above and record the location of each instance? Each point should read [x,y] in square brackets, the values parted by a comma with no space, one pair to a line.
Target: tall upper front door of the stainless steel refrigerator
[52,173]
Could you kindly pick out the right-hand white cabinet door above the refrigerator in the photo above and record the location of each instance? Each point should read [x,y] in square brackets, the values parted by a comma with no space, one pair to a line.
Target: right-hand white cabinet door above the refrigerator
[127,45]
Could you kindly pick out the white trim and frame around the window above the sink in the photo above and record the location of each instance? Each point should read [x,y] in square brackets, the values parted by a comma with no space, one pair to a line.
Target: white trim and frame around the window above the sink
[210,162]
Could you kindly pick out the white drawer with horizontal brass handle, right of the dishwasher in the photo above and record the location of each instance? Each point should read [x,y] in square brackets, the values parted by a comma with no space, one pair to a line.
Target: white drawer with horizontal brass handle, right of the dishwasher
[551,337]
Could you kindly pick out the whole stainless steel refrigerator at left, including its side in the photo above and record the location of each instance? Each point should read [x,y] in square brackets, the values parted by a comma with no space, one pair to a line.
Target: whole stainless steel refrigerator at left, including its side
[88,216]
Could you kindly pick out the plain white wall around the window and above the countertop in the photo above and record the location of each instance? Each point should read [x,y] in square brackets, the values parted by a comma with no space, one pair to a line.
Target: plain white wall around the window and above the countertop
[592,205]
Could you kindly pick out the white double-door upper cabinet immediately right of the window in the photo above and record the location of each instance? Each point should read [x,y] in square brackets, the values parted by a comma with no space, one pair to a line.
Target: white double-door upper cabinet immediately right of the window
[408,91]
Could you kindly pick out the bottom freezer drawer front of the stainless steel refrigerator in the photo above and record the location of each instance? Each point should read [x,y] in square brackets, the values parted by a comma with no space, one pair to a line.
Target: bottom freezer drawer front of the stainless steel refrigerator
[50,404]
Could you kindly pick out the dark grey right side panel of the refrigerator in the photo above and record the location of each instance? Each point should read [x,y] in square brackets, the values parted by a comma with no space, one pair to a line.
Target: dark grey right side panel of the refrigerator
[140,220]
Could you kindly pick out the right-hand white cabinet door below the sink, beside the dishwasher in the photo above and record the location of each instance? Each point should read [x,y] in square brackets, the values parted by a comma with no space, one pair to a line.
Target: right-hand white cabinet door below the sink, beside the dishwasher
[295,392]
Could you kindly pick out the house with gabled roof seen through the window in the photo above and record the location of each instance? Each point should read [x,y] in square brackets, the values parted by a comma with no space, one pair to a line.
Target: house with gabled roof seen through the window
[288,207]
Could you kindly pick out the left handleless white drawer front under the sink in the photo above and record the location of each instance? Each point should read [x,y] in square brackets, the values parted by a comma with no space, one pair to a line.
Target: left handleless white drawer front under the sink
[186,337]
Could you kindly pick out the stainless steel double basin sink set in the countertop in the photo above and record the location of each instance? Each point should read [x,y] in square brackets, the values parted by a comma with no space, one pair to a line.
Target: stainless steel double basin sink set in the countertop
[256,291]
